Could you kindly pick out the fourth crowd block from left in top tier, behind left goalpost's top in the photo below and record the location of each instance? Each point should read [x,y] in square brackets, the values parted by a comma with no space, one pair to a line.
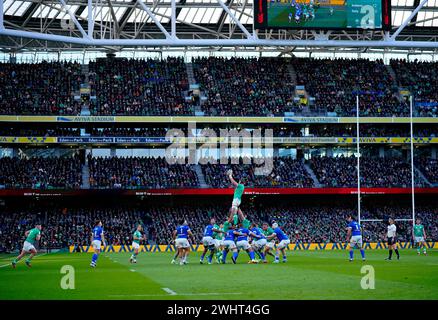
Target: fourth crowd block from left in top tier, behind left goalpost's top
[335,83]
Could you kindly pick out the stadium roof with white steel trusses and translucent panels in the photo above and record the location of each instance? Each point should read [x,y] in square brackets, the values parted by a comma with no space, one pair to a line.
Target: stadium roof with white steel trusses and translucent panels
[132,23]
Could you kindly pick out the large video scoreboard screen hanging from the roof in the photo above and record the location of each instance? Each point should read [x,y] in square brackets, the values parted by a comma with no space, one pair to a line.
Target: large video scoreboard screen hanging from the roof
[322,14]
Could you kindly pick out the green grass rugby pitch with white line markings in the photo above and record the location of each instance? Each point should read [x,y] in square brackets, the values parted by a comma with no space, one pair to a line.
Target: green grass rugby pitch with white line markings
[306,275]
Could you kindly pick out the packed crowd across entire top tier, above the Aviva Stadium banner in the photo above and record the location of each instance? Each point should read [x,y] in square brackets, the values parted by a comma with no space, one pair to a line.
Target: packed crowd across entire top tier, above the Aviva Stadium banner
[232,87]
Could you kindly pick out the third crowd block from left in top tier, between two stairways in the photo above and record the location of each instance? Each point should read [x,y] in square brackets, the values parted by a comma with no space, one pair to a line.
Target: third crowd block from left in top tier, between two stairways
[245,87]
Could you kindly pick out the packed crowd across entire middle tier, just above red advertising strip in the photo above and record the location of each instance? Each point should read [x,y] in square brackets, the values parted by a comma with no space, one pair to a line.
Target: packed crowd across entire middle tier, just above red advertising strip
[157,173]
